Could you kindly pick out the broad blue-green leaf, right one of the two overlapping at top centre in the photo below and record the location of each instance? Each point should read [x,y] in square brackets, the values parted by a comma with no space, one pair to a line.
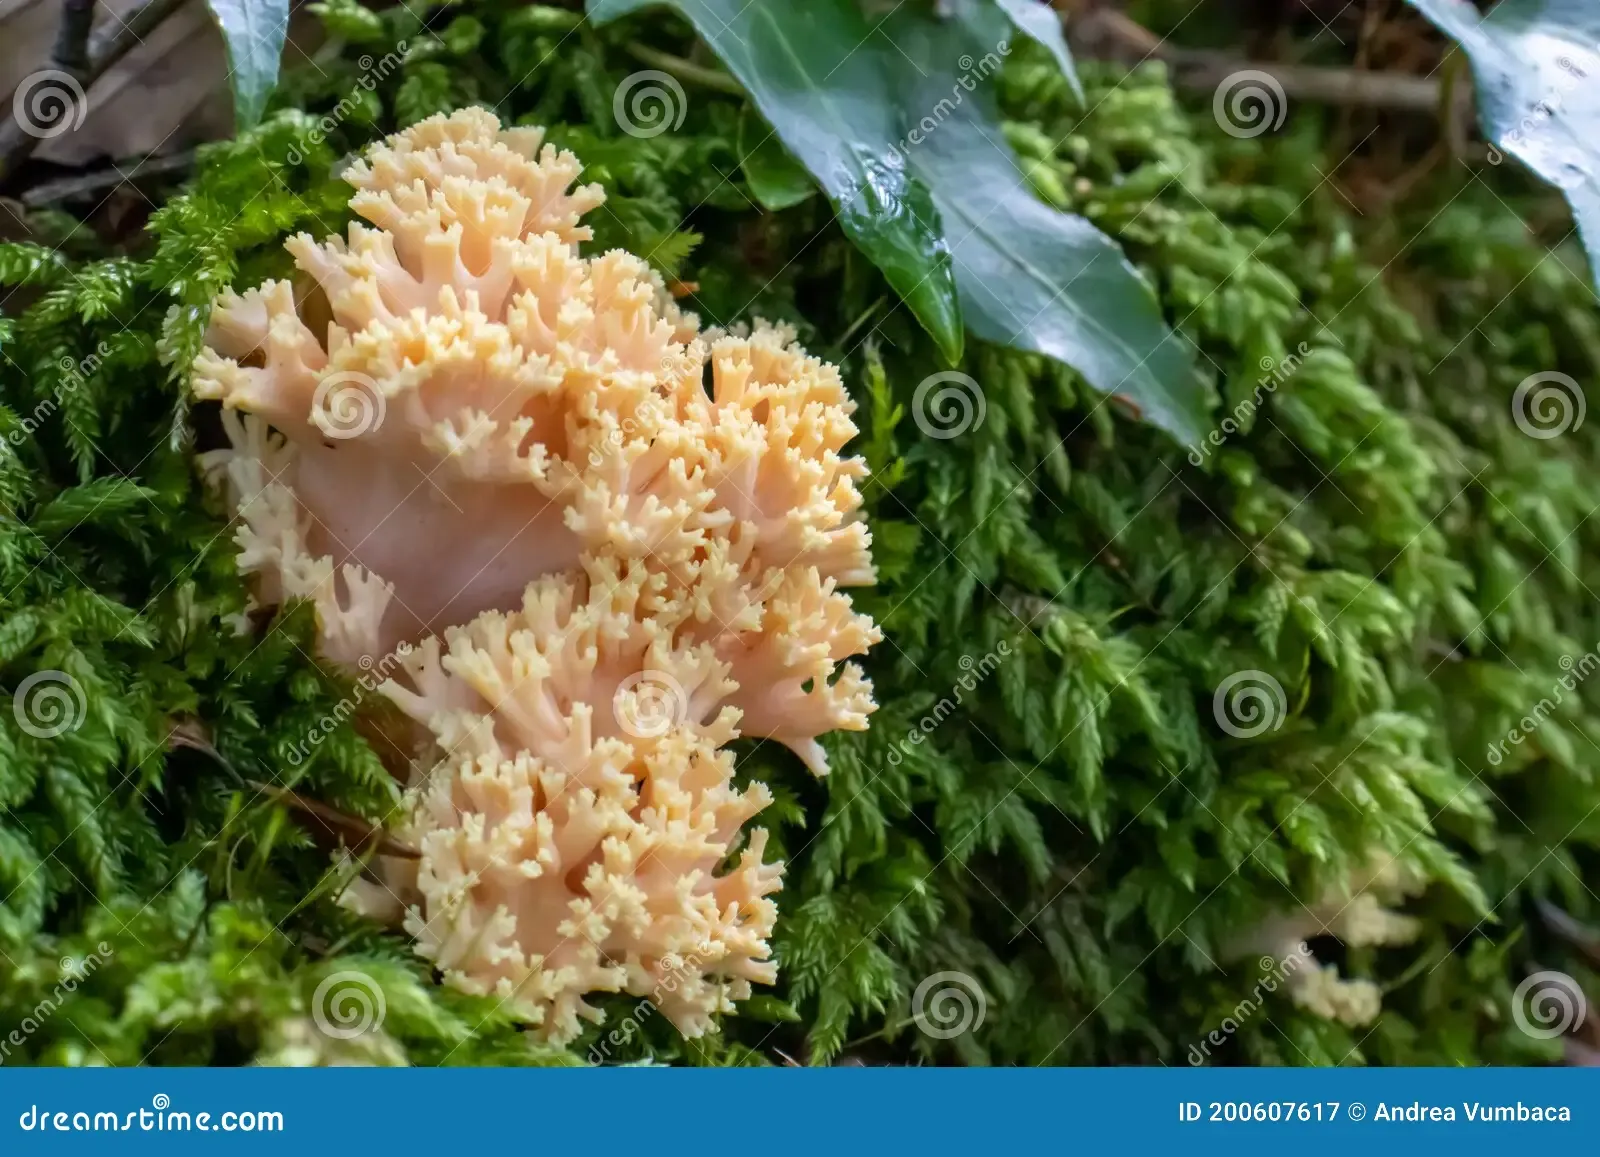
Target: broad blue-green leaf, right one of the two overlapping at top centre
[1034,278]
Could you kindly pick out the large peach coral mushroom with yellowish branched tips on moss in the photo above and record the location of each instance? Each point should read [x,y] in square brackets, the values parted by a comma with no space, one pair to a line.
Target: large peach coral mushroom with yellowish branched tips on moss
[495,468]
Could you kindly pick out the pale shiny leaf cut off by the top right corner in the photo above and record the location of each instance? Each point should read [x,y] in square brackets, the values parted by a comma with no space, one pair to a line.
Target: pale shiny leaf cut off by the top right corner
[1537,76]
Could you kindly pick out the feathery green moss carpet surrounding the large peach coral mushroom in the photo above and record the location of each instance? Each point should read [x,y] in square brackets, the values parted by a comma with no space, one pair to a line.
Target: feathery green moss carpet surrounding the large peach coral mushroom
[1063,595]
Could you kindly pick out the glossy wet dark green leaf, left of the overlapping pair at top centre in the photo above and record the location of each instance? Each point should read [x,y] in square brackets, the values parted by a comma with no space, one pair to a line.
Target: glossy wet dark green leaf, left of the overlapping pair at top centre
[830,95]
